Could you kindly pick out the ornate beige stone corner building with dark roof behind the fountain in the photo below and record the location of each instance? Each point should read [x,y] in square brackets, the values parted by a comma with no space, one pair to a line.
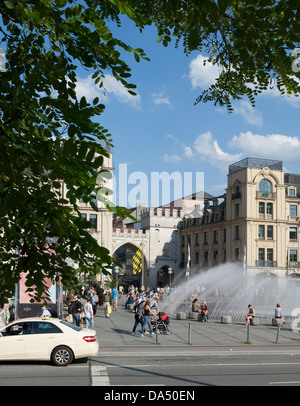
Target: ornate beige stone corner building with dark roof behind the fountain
[256,222]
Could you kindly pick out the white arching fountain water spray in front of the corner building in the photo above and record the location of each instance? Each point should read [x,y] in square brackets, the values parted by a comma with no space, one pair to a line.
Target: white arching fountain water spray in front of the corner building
[228,290]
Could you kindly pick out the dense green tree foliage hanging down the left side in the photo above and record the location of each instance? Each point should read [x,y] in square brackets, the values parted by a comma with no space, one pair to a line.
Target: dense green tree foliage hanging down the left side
[48,136]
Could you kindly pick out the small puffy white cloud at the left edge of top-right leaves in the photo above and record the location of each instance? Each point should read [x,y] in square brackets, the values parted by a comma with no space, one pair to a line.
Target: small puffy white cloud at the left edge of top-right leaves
[203,75]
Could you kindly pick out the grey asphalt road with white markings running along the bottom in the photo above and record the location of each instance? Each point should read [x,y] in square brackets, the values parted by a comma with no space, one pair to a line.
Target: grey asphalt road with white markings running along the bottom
[158,372]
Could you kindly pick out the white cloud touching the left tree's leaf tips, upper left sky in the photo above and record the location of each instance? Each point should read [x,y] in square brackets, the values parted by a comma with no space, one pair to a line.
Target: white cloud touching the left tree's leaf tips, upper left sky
[111,88]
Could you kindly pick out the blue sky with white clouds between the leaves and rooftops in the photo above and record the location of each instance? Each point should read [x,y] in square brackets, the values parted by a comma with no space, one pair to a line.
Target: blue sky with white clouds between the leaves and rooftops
[162,130]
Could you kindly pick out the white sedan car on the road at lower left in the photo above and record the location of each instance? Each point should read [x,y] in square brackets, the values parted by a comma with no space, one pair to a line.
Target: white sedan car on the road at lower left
[46,340]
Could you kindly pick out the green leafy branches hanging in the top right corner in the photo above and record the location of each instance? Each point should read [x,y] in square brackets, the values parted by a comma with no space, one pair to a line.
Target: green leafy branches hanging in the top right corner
[254,43]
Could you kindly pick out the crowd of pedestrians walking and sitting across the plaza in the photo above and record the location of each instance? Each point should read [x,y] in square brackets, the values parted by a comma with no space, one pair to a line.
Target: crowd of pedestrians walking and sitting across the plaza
[145,303]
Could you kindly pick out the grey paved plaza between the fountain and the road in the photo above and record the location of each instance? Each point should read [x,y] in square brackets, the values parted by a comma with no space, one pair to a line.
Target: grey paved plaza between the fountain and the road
[191,337]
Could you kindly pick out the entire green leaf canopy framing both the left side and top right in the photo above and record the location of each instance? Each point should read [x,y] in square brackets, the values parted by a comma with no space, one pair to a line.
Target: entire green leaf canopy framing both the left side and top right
[48,136]
